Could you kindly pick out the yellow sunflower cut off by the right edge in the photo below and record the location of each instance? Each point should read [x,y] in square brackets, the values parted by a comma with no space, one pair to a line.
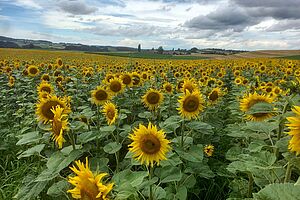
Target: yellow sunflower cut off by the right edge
[294,126]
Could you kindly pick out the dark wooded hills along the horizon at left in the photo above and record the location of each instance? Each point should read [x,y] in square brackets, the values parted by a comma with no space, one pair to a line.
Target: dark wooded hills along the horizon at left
[6,42]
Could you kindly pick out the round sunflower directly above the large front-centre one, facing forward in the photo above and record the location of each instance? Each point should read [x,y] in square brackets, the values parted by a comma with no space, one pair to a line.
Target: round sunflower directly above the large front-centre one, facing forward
[152,99]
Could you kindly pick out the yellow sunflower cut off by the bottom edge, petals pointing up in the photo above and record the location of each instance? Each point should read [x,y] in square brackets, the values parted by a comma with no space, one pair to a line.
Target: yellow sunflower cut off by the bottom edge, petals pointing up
[87,184]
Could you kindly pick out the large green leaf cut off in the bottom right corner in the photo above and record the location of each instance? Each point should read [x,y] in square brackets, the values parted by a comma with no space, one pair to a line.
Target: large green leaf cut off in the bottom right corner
[278,191]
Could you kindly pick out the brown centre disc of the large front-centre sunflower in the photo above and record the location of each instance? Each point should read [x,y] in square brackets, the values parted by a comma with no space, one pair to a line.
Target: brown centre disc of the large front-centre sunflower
[150,144]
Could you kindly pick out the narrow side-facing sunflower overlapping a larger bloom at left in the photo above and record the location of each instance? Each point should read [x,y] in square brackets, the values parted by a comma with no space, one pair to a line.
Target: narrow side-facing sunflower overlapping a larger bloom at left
[59,125]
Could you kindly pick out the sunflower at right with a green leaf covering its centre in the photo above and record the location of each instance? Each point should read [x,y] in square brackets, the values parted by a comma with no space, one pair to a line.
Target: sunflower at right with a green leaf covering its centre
[255,101]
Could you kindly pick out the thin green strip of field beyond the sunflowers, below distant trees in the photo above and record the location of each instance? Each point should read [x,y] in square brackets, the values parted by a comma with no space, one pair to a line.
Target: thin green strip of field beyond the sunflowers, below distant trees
[148,55]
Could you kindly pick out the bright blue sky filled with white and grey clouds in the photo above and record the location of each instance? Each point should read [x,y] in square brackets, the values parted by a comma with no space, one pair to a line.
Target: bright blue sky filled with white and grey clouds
[228,24]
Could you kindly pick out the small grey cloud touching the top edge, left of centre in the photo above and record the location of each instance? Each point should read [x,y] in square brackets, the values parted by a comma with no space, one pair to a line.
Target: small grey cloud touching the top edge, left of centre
[76,7]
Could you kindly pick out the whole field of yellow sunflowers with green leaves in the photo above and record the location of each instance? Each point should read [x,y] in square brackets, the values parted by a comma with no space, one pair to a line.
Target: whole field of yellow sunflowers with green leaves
[80,126]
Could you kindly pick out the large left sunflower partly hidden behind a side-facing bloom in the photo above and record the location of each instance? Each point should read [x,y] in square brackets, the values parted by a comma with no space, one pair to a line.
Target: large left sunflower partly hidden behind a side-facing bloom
[44,106]
